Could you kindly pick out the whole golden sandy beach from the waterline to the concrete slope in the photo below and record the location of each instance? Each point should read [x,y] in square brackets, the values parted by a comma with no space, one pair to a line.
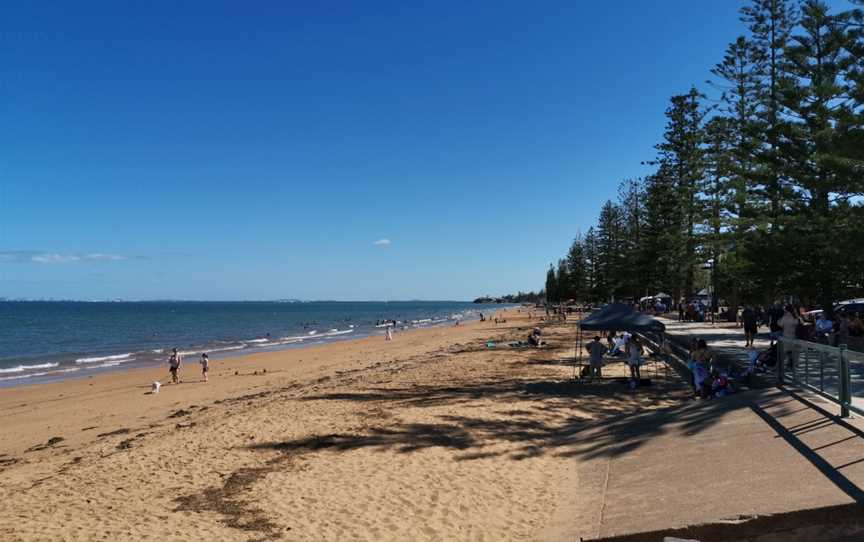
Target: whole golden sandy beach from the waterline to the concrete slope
[432,436]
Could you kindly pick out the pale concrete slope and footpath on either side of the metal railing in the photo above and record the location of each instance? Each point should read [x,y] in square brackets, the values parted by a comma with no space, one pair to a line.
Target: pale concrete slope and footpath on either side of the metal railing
[769,464]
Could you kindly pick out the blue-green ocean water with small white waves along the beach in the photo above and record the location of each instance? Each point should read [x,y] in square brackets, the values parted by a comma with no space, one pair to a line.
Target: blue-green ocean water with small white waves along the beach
[43,341]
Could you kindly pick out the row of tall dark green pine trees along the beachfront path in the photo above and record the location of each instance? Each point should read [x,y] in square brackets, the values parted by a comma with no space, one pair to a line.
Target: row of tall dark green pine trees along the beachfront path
[756,187]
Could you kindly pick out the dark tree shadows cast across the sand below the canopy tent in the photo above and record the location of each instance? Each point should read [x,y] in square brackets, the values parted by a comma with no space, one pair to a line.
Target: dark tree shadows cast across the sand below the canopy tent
[562,418]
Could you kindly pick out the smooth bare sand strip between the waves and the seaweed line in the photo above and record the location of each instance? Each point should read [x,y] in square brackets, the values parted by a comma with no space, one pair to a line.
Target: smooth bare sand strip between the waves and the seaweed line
[34,412]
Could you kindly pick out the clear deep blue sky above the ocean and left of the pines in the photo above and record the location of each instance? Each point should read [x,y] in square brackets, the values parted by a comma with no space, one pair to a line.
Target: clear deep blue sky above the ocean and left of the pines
[227,150]
